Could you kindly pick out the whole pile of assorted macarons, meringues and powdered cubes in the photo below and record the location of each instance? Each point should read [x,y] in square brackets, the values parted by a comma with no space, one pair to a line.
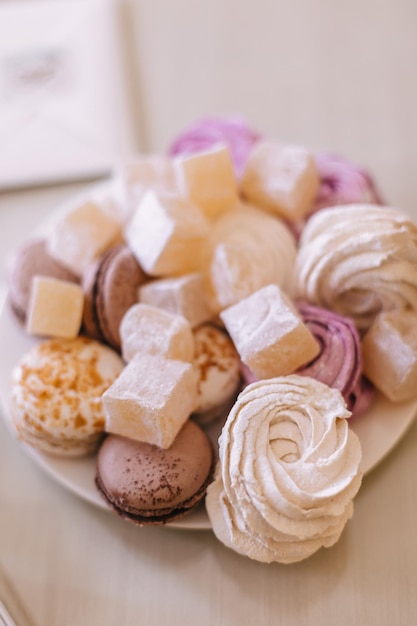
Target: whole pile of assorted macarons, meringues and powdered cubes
[235,281]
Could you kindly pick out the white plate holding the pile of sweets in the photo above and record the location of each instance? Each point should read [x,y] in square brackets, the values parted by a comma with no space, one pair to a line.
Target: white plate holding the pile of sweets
[379,430]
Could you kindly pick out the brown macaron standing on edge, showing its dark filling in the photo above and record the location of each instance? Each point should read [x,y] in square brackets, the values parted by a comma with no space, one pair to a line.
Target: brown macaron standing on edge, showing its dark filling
[110,288]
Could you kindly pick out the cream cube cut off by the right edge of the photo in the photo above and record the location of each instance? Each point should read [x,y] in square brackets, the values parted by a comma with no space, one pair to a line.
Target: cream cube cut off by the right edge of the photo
[389,351]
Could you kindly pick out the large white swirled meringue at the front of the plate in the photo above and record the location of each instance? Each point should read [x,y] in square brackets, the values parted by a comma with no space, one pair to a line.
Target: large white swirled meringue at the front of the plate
[288,472]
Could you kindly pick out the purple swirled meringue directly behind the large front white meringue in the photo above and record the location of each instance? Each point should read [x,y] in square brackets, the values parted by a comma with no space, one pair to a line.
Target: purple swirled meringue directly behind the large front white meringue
[339,363]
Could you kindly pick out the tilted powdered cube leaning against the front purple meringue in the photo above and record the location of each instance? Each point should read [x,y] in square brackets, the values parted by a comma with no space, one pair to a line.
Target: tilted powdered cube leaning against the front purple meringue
[269,335]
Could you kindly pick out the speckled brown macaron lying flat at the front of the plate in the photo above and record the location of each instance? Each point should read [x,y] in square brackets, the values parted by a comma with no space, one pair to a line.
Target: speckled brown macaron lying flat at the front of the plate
[149,485]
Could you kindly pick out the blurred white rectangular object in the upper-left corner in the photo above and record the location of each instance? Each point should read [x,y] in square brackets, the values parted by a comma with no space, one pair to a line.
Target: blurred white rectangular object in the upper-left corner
[64,107]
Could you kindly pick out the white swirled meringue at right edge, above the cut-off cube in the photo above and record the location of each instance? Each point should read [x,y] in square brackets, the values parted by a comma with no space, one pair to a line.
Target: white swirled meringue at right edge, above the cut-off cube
[358,260]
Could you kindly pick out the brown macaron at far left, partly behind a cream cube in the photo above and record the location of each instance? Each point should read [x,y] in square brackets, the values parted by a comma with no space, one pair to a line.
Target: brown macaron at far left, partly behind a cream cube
[32,259]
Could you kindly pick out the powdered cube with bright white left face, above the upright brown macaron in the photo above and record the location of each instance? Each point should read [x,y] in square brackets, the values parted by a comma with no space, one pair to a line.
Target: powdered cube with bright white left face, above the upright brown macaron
[166,234]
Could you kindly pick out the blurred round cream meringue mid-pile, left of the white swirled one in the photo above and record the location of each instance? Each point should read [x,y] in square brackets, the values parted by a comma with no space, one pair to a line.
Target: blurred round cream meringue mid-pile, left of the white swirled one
[246,250]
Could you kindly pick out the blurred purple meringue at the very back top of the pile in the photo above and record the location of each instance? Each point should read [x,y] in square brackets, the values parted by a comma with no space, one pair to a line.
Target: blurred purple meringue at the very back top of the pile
[209,131]
